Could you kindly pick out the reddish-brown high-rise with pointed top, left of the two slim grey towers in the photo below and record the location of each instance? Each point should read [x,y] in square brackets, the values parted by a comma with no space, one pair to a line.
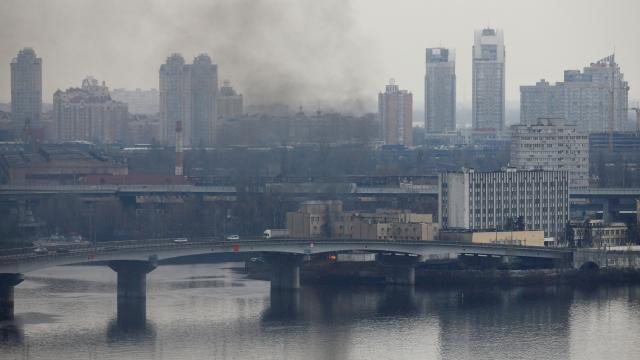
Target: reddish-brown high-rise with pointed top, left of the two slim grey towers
[395,109]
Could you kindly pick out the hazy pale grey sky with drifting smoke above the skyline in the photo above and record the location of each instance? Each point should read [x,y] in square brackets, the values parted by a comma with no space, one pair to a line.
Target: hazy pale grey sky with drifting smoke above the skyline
[334,52]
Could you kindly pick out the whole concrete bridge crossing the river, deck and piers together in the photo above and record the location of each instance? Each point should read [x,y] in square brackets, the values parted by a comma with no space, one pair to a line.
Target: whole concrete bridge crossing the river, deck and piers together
[132,260]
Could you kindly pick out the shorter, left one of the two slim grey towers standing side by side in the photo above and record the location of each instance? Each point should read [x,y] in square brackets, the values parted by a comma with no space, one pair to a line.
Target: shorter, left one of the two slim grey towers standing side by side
[440,91]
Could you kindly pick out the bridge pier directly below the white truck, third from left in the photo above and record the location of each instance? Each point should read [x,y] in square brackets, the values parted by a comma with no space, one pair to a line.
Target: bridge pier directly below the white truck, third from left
[285,270]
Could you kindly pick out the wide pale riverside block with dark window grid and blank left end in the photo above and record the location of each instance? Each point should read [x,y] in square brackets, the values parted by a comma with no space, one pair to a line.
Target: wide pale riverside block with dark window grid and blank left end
[494,200]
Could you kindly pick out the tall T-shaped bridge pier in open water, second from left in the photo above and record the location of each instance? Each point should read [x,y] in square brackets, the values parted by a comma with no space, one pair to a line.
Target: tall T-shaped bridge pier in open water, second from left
[132,289]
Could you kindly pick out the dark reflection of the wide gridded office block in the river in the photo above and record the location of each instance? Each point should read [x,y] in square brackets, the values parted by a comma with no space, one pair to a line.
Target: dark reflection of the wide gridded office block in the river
[486,321]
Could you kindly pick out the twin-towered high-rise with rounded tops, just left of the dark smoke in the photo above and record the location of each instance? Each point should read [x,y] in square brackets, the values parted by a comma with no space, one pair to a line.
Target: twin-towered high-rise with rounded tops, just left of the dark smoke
[188,93]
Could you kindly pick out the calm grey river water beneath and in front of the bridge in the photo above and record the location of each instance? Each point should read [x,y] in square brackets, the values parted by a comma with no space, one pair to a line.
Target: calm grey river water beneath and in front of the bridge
[210,311]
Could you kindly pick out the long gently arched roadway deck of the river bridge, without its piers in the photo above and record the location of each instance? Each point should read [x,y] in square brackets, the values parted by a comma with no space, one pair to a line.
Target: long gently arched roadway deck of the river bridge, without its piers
[164,249]
